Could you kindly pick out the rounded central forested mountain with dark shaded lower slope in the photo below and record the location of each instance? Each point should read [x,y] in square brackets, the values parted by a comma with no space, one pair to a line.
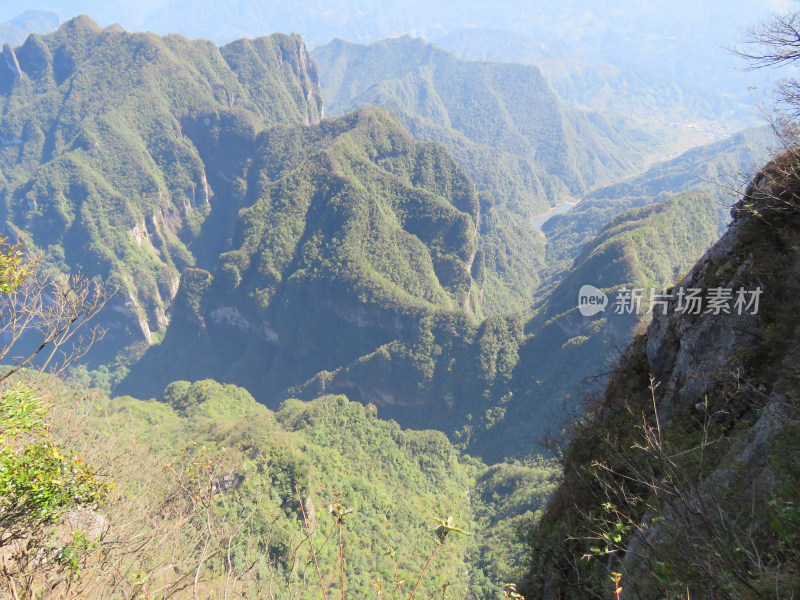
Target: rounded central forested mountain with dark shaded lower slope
[348,234]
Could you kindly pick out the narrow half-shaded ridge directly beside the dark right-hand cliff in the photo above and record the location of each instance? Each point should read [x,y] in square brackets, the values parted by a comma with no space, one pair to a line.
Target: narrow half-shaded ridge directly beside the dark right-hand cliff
[564,351]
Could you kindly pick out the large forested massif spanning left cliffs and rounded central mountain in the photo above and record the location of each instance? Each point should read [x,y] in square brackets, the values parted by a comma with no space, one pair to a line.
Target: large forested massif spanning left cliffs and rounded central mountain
[188,156]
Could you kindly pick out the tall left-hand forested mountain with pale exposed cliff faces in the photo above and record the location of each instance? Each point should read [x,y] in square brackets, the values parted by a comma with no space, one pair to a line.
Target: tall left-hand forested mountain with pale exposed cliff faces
[98,172]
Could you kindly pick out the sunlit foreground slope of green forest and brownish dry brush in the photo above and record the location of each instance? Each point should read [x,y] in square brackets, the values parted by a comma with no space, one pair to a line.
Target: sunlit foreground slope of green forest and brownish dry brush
[210,483]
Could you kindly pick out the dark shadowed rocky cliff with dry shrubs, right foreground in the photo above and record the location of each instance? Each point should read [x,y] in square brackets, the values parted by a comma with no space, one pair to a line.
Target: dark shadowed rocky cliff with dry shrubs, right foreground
[683,475]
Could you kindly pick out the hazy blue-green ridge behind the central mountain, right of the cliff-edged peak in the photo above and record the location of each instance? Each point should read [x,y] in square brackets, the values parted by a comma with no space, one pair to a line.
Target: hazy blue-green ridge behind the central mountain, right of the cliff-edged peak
[501,121]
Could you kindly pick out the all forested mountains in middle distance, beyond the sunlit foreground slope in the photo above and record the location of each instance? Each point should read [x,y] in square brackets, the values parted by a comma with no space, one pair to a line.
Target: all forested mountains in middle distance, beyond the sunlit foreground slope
[256,242]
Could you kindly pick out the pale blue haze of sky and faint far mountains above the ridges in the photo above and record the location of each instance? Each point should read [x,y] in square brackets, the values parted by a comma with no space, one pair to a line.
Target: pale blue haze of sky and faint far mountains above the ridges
[629,54]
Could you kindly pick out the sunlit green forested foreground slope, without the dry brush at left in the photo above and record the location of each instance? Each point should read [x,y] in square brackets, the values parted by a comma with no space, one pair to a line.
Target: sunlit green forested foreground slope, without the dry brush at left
[396,482]
